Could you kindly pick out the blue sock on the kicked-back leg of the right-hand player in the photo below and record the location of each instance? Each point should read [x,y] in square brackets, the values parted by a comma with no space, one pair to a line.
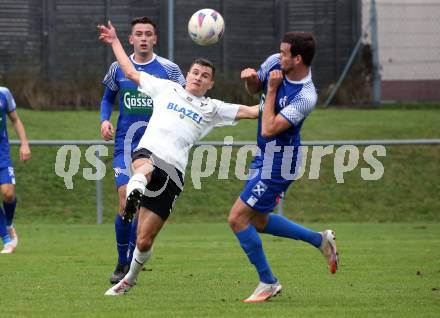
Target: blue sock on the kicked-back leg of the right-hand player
[280,226]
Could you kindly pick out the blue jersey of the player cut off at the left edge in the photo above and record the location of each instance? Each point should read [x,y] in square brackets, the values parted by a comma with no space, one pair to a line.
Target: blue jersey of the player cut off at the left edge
[7,105]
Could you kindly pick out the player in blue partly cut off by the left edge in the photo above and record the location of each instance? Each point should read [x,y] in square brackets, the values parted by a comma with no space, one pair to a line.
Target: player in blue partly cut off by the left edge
[7,177]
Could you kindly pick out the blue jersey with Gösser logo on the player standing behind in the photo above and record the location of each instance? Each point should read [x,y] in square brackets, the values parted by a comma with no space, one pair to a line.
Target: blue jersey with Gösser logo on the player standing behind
[135,106]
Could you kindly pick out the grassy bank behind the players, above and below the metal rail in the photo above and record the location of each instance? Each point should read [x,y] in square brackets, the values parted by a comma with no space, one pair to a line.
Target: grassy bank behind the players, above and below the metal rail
[407,192]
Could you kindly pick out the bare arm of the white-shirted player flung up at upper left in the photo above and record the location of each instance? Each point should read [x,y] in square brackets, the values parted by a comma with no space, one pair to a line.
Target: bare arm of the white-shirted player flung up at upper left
[107,34]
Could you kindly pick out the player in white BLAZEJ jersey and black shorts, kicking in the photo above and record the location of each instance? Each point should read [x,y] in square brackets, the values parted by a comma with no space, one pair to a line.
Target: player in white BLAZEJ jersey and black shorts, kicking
[181,117]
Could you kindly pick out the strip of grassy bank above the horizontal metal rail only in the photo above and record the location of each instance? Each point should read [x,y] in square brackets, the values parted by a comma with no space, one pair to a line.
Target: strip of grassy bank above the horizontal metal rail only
[323,124]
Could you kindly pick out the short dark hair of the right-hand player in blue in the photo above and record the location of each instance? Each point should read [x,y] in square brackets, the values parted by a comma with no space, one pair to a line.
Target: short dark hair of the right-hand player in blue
[302,43]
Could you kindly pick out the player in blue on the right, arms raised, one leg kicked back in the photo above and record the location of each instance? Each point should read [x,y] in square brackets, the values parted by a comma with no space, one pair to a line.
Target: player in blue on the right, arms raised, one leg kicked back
[288,98]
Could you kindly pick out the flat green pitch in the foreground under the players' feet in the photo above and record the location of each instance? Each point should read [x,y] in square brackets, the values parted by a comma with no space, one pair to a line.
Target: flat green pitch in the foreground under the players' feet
[198,270]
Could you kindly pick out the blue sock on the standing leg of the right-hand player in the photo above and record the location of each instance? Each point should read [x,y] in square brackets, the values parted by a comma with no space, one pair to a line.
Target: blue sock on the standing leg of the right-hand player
[251,244]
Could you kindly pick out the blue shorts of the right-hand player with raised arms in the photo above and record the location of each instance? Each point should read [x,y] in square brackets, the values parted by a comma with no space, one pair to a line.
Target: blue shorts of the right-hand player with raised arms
[263,194]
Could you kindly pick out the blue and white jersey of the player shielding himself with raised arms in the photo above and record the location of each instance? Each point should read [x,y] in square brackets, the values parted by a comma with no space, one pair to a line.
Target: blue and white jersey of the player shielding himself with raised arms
[294,101]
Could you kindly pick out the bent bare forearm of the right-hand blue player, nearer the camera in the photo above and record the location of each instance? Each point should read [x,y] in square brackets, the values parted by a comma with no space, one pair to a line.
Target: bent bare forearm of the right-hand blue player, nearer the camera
[272,124]
